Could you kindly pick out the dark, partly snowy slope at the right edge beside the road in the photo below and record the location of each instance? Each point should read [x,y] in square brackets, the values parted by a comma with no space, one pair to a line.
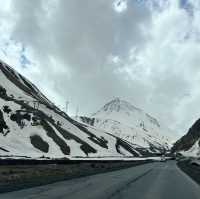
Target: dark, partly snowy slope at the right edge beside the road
[189,144]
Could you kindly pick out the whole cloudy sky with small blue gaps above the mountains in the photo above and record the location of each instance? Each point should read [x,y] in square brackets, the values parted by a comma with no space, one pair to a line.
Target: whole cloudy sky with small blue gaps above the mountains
[88,52]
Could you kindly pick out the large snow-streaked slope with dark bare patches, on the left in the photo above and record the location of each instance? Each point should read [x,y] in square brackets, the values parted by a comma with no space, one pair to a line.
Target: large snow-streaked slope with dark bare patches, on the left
[31,126]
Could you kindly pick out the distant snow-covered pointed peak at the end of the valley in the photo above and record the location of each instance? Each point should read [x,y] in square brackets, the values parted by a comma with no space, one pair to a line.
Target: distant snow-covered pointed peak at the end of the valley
[130,123]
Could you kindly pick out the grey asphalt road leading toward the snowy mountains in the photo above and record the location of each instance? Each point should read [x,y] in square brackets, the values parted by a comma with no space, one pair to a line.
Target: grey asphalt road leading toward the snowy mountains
[149,181]
